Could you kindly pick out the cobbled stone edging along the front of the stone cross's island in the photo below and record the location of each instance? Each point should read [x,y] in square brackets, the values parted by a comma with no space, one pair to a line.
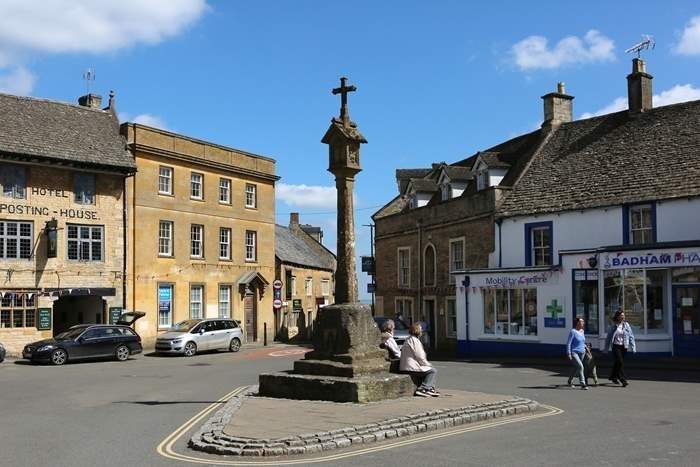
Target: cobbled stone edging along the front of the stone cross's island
[211,438]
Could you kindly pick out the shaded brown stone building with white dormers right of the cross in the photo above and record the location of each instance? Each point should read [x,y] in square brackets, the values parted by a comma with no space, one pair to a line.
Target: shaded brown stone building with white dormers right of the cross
[441,221]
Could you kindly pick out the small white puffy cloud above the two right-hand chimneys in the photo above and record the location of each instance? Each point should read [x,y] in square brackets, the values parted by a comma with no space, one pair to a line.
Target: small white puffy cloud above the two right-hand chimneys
[533,52]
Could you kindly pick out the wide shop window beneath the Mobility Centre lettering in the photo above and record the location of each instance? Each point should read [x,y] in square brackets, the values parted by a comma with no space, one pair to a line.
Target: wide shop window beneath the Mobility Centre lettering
[510,312]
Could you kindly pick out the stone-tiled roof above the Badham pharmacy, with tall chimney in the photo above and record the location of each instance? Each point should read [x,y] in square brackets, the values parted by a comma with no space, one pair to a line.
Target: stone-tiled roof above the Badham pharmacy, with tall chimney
[611,160]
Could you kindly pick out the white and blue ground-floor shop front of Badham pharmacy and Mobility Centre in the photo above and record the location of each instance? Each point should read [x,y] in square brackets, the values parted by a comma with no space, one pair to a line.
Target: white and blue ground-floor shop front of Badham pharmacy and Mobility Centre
[531,310]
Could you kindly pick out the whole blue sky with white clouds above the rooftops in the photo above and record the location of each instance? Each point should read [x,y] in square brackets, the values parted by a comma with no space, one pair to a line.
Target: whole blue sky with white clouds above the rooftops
[436,81]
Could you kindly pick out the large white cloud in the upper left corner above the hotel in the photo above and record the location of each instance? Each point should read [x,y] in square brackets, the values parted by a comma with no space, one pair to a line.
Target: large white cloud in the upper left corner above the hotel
[32,27]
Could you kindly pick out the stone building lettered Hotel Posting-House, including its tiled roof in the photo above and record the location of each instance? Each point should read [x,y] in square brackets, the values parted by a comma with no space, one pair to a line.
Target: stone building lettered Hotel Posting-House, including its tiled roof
[63,169]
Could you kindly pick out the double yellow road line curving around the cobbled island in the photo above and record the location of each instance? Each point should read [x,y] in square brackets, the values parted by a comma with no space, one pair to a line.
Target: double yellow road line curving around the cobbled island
[165,448]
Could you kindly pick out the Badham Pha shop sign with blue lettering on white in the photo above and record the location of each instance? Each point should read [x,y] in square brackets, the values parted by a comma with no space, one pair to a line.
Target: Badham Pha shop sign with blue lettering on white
[651,259]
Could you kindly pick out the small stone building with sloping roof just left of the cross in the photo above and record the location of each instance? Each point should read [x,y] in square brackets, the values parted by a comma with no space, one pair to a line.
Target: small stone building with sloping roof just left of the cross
[306,269]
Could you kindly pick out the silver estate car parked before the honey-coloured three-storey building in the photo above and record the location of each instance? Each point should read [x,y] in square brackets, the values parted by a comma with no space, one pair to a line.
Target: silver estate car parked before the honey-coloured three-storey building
[197,335]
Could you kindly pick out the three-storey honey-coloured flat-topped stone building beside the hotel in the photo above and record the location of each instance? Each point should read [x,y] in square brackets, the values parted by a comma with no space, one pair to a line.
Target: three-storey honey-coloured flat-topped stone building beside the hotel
[201,232]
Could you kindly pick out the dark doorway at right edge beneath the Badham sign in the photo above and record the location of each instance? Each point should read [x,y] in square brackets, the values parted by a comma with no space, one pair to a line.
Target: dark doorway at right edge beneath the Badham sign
[686,320]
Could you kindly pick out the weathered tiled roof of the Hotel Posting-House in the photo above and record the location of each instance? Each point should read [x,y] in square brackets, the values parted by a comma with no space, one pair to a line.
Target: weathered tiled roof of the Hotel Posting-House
[56,131]
